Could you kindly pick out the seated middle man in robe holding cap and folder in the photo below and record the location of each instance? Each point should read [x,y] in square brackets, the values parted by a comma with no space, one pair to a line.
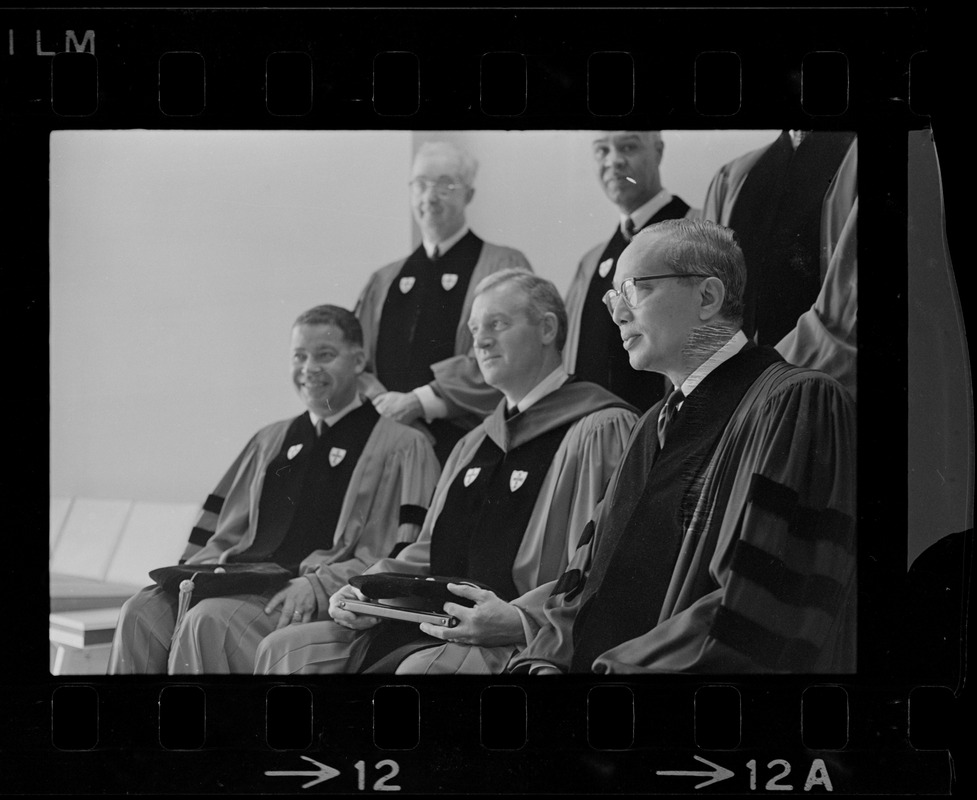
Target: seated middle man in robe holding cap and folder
[508,511]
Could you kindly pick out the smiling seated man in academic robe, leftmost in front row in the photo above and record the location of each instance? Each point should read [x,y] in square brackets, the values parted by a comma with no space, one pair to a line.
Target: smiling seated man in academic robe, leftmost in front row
[325,494]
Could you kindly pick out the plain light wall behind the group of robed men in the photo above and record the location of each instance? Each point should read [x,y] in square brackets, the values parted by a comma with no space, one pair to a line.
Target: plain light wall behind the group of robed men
[179,260]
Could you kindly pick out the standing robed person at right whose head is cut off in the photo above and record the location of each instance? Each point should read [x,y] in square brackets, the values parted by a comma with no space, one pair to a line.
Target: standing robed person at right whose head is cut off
[794,207]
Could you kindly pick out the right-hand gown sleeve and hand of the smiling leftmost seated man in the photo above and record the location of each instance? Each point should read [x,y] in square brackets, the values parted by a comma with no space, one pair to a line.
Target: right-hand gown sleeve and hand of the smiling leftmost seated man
[387,498]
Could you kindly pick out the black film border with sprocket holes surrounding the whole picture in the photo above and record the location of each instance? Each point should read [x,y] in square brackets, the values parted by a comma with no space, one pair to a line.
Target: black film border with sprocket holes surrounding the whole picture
[92,734]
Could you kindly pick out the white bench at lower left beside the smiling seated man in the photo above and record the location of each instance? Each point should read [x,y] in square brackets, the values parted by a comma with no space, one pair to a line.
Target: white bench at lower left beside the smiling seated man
[101,556]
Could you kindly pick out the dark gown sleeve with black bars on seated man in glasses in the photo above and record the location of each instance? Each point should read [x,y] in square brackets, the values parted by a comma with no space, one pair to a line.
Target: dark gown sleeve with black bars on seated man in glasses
[773,590]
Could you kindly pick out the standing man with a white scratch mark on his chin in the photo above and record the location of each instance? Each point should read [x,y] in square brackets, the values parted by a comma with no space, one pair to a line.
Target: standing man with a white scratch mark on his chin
[628,169]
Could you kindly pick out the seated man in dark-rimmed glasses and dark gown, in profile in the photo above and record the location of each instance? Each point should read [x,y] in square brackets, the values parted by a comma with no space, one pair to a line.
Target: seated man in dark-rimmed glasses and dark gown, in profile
[726,540]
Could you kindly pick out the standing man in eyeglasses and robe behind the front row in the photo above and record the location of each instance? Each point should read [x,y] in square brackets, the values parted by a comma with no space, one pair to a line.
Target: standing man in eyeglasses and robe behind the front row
[414,311]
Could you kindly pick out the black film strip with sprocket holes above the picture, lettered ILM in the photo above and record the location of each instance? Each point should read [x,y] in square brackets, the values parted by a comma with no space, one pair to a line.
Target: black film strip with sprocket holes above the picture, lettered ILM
[443,68]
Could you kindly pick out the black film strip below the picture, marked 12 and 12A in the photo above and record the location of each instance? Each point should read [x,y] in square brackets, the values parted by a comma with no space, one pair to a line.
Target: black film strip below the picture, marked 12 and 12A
[467,736]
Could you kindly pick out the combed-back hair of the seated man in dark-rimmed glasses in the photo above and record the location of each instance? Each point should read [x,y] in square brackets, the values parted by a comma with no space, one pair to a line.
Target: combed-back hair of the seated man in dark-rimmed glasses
[694,245]
